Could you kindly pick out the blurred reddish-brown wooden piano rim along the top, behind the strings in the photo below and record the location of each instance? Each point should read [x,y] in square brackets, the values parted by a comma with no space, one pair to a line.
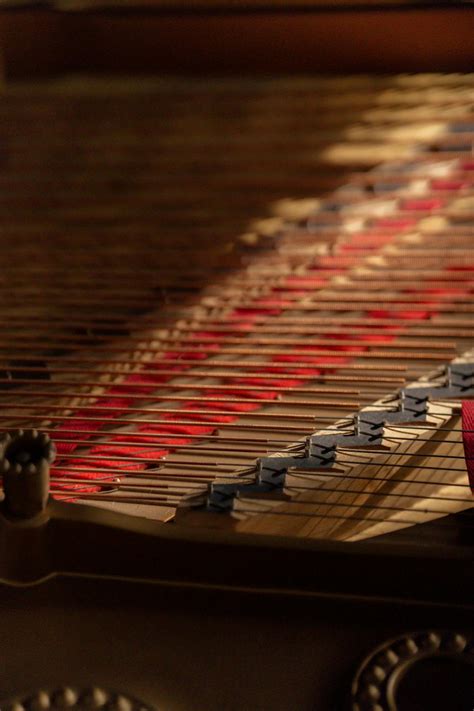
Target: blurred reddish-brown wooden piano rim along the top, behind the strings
[363,39]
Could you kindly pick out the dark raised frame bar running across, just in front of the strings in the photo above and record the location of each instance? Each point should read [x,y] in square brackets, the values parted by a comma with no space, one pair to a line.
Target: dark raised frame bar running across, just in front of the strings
[85,541]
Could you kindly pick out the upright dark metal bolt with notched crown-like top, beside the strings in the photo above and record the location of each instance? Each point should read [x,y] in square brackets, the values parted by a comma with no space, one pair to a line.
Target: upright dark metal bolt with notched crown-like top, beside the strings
[25,458]
